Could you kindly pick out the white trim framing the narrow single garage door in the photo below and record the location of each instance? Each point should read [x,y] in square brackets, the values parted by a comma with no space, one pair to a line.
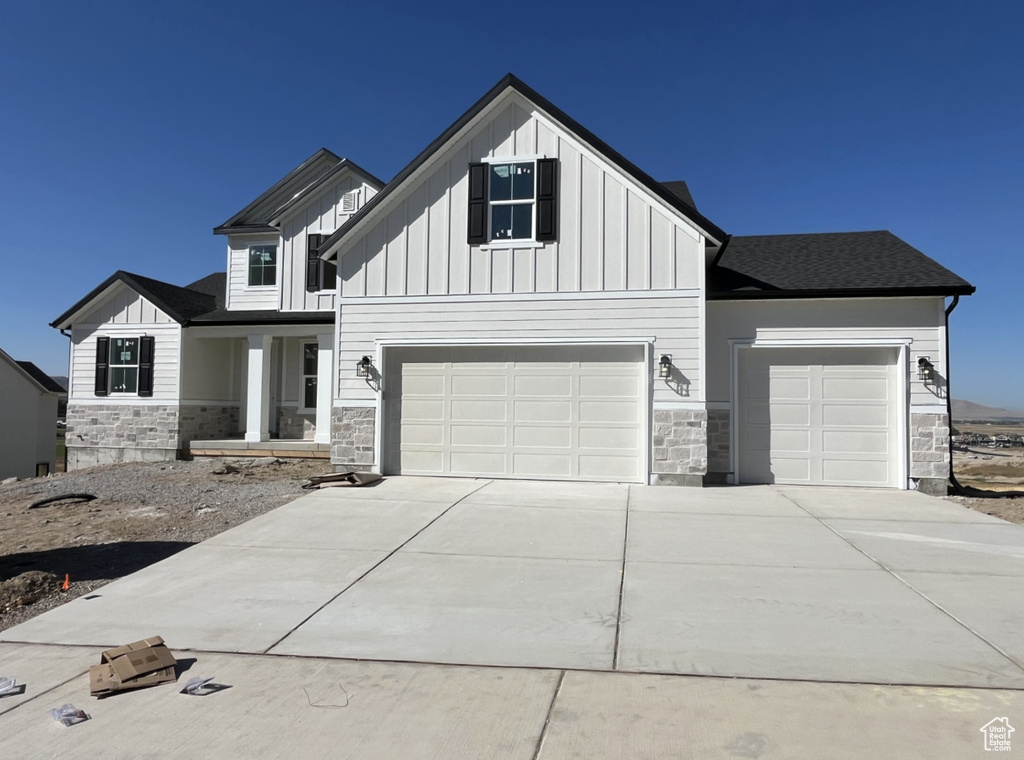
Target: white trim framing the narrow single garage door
[903,417]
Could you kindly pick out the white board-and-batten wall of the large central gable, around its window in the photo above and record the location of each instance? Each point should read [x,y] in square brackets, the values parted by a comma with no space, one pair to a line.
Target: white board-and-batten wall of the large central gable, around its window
[615,234]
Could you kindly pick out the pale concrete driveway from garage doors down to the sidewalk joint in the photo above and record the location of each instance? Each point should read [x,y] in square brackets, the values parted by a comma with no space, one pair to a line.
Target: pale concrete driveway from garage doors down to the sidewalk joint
[761,582]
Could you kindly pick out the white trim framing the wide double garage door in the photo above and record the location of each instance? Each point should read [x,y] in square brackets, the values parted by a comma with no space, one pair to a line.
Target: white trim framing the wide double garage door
[647,346]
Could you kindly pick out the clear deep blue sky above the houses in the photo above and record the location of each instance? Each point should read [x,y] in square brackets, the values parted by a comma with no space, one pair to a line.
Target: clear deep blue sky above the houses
[129,132]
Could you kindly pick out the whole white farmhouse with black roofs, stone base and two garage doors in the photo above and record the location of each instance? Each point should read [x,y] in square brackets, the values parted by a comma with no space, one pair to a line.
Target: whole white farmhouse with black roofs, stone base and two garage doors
[524,303]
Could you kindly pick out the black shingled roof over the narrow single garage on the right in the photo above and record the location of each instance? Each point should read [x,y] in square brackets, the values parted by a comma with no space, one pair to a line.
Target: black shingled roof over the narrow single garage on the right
[828,265]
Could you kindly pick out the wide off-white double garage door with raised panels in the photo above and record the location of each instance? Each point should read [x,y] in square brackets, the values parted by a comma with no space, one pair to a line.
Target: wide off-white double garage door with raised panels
[566,413]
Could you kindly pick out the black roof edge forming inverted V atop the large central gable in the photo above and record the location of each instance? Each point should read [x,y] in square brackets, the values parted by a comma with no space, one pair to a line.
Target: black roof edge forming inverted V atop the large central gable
[510,81]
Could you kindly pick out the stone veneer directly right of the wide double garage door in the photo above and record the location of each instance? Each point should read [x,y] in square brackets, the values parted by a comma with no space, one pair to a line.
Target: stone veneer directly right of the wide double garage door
[680,447]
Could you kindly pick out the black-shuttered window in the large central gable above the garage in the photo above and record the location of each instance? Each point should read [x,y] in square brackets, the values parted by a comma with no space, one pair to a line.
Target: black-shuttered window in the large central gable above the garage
[514,202]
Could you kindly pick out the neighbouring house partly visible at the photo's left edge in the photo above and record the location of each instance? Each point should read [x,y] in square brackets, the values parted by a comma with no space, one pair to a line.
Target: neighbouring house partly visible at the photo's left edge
[28,419]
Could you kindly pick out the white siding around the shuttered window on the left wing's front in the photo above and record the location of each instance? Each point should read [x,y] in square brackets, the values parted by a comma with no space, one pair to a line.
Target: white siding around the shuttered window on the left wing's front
[124,314]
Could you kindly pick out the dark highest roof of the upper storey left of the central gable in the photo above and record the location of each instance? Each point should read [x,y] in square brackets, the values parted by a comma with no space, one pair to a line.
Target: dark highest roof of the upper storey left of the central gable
[260,216]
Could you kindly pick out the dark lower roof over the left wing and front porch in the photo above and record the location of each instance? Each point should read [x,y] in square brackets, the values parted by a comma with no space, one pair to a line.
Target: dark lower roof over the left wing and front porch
[201,303]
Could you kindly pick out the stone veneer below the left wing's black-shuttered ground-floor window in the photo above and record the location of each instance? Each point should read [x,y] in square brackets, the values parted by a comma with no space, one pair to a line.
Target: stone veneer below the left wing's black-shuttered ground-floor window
[108,434]
